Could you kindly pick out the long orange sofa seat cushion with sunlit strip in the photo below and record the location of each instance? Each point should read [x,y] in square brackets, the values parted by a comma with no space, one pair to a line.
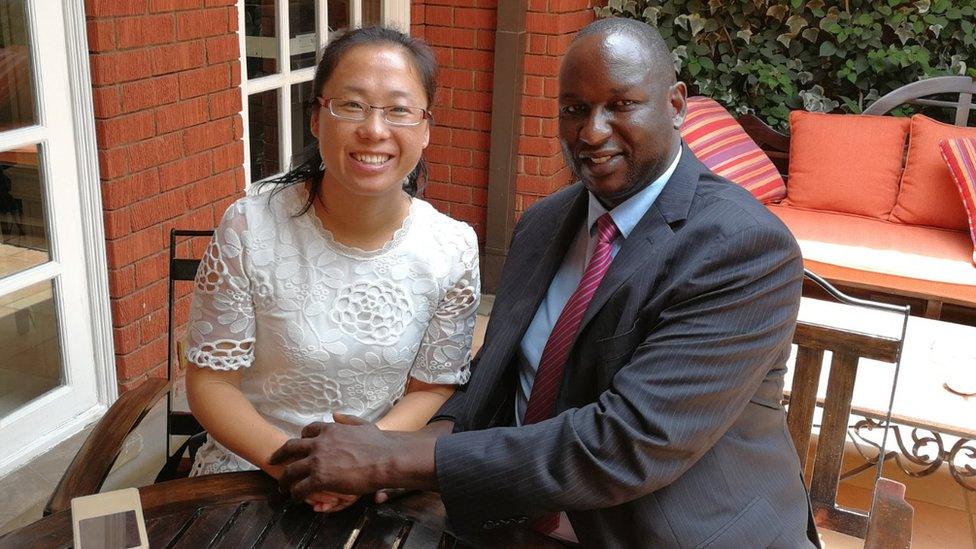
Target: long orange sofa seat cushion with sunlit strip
[892,257]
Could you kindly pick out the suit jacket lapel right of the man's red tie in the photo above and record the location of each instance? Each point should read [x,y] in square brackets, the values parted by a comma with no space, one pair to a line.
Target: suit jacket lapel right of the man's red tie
[671,206]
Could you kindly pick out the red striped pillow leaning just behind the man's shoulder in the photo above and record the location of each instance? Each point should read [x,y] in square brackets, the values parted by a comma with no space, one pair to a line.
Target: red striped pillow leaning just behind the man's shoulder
[721,144]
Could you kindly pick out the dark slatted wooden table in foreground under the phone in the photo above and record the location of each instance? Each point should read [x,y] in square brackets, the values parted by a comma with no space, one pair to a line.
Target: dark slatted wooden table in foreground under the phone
[237,510]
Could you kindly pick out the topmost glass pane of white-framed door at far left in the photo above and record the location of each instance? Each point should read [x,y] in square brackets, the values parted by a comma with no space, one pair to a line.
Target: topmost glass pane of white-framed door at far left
[16,99]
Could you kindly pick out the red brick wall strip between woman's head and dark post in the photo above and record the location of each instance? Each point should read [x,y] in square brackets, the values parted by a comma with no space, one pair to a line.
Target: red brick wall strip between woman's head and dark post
[462,34]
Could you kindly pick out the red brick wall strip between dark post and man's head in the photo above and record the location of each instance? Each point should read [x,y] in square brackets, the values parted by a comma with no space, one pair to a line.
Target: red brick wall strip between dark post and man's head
[551,25]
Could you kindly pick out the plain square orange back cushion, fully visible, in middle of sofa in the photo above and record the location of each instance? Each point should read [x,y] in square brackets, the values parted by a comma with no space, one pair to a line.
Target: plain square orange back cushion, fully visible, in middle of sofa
[845,162]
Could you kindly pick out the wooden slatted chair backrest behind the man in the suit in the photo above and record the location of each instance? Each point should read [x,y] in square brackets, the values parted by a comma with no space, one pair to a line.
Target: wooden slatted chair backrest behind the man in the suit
[846,348]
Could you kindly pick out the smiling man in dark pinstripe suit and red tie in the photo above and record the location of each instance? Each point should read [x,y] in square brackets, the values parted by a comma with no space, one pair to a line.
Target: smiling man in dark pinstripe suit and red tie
[633,366]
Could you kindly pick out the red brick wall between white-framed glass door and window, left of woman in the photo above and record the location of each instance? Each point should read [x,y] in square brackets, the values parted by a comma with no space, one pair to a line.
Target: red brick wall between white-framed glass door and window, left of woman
[165,76]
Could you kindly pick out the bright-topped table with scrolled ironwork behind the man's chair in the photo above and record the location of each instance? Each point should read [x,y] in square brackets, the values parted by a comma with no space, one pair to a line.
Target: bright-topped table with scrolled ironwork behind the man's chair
[940,424]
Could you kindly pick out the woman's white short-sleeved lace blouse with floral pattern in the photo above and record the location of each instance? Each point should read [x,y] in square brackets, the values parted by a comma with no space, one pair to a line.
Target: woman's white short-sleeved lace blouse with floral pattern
[320,327]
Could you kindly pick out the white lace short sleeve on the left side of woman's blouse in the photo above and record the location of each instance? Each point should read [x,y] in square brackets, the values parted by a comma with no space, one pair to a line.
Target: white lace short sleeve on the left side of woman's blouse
[221,328]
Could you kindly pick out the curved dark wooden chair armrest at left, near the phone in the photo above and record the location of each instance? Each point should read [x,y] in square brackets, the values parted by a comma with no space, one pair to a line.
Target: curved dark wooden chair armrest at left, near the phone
[94,460]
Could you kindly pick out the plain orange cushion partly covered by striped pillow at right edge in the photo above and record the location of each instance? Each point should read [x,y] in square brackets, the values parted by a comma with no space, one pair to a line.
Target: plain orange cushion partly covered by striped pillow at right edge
[927,195]
